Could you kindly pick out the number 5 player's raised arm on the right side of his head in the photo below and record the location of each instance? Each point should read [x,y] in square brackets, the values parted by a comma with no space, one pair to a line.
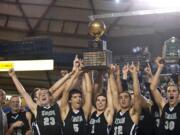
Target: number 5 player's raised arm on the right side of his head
[87,95]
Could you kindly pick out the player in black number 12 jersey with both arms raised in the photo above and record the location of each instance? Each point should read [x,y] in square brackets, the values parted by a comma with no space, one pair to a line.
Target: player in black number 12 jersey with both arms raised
[127,116]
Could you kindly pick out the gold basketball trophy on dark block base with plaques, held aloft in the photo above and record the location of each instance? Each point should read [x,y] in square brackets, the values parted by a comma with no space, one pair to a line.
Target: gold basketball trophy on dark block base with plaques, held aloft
[97,56]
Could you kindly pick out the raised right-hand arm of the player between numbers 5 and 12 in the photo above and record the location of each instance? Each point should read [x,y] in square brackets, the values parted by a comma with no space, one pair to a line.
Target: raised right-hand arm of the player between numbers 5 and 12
[109,112]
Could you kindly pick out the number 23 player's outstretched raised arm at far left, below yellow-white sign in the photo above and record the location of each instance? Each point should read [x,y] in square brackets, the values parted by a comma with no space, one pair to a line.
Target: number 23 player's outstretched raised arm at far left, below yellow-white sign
[22,91]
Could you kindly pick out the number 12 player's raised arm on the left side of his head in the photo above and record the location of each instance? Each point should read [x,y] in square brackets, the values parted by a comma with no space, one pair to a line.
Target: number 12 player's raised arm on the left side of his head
[115,92]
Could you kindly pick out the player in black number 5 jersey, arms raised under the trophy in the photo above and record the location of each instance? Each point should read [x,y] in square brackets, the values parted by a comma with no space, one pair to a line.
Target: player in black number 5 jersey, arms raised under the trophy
[75,114]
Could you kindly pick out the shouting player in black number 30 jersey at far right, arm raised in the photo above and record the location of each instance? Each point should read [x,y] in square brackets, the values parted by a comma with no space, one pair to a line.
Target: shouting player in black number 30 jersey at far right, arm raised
[170,111]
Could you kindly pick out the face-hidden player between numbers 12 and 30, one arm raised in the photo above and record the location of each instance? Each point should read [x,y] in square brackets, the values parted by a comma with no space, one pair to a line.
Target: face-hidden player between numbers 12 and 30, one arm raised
[152,115]
